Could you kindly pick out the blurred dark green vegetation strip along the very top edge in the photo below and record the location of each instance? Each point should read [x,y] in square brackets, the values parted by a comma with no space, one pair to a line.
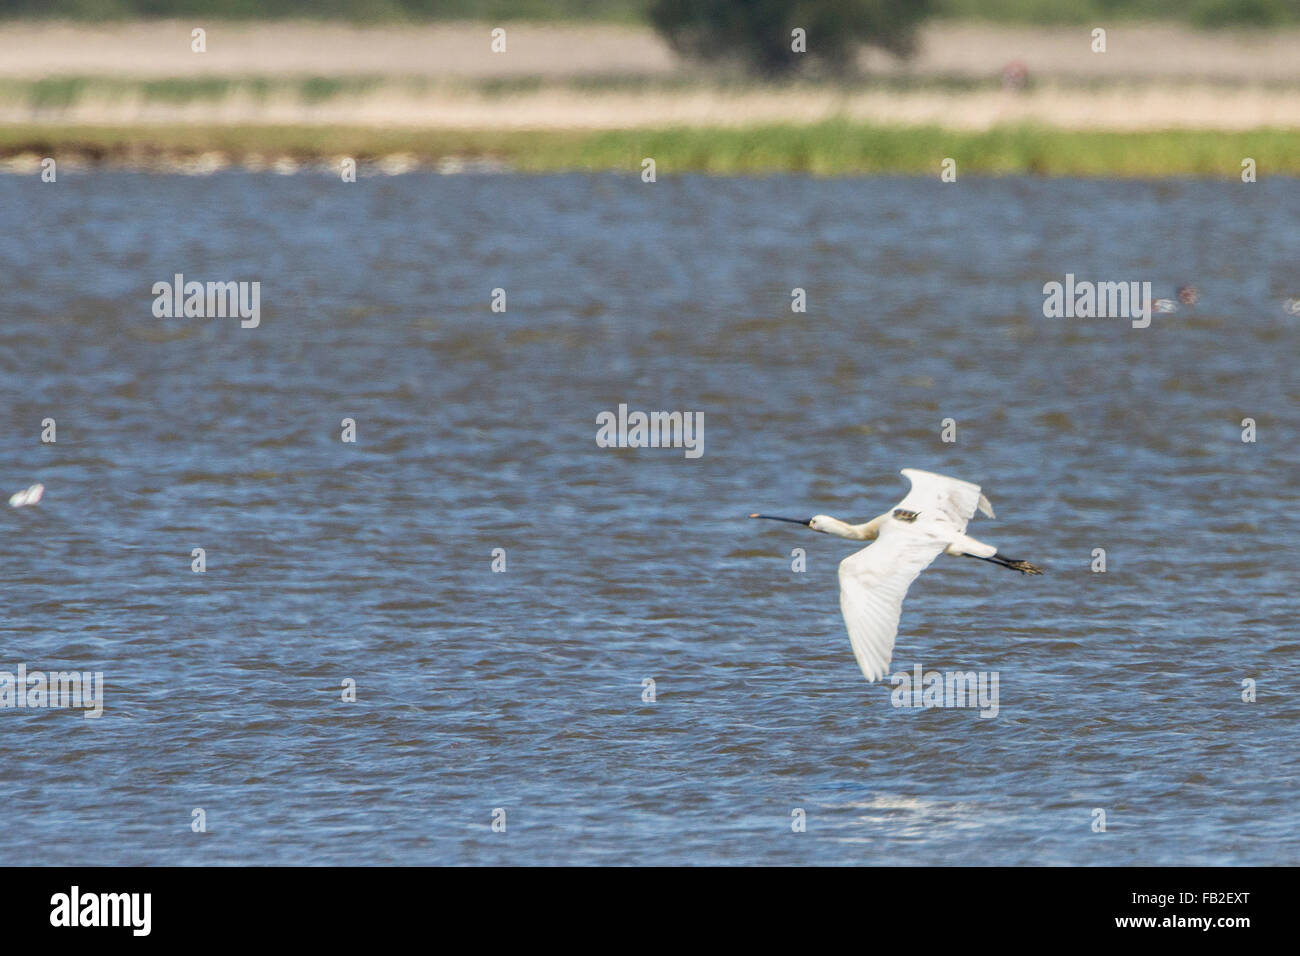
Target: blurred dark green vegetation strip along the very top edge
[1208,14]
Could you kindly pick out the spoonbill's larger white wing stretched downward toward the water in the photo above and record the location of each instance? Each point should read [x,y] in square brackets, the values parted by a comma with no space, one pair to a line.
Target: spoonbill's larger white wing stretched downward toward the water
[876,581]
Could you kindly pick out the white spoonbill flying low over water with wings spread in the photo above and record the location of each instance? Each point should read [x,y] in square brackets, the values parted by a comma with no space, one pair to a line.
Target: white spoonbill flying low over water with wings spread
[929,522]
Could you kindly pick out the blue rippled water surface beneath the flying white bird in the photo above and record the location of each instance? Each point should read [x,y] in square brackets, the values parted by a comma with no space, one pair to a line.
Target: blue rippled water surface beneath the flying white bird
[371,563]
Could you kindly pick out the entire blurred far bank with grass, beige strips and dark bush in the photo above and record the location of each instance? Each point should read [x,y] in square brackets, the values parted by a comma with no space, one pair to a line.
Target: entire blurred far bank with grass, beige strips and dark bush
[1208,84]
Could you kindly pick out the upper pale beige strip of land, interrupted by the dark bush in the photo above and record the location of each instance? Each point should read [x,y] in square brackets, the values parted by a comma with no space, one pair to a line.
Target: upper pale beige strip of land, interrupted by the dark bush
[558,51]
